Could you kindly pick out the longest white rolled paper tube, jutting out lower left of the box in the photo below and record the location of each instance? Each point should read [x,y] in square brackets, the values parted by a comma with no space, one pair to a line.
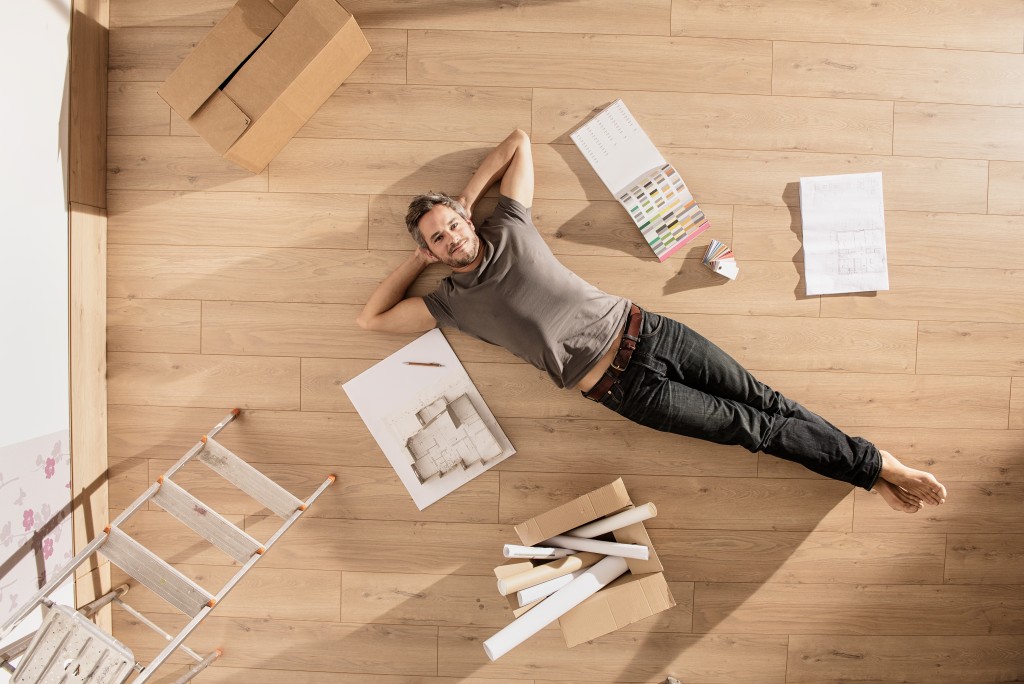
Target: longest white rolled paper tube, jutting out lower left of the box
[593,580]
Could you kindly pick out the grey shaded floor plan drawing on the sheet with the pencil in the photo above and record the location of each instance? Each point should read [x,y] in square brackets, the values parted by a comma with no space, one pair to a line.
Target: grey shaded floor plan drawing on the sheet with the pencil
[453,437]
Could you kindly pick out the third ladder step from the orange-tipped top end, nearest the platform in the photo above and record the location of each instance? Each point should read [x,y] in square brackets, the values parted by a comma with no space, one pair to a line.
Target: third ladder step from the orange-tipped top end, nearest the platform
[150,570]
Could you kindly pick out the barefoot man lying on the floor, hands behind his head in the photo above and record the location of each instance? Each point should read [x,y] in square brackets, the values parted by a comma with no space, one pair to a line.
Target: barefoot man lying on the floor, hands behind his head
[507,288]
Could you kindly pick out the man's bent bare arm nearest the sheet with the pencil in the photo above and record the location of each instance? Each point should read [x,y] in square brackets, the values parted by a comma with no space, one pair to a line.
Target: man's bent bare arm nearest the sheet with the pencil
[389,311]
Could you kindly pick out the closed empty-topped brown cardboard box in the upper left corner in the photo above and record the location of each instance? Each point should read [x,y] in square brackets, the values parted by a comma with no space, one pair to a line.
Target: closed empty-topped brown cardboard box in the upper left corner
[263,72]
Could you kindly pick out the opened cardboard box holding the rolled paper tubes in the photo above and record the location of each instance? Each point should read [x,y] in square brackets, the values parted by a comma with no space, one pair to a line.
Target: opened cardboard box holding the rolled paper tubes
[639,594]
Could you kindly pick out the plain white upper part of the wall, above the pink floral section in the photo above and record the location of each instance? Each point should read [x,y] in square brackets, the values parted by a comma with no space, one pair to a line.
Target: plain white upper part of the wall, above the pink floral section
[34,210]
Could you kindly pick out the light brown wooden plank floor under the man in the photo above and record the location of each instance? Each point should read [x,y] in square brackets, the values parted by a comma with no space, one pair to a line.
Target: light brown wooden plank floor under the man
[232,289]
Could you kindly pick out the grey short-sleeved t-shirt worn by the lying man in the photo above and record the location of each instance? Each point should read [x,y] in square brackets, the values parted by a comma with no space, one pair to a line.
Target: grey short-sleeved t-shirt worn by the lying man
[524,300]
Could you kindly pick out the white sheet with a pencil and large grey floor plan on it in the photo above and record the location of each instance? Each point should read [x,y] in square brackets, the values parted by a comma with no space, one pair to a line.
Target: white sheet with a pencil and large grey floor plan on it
[429,420]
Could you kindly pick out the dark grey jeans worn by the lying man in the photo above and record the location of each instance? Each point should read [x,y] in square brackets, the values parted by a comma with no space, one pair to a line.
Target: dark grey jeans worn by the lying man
[679,382]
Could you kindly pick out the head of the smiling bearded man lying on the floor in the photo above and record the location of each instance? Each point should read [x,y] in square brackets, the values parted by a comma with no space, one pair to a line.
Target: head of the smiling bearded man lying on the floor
[439,224]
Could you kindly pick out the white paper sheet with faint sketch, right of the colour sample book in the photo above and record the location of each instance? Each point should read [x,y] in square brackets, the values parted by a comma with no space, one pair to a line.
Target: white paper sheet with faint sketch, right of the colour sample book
[844,234]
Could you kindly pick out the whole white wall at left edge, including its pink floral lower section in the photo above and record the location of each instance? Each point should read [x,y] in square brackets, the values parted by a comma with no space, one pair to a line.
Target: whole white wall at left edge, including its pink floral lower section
[34,302]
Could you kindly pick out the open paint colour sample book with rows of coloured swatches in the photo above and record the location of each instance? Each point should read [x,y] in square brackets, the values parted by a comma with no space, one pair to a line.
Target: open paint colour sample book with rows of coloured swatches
[634,172]
